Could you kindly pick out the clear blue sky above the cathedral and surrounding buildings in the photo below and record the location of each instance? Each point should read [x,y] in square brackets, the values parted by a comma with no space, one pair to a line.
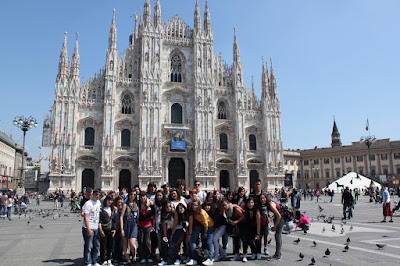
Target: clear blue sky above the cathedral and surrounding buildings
[331,58]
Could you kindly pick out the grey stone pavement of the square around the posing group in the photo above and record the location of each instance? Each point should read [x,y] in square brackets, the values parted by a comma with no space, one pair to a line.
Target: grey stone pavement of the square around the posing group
[60,242]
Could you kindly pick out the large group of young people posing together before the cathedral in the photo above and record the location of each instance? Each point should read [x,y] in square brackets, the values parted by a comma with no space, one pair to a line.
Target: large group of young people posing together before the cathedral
[185,226]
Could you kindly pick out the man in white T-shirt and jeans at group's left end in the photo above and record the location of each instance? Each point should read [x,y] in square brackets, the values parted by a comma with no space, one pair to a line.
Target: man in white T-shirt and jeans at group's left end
[90,229]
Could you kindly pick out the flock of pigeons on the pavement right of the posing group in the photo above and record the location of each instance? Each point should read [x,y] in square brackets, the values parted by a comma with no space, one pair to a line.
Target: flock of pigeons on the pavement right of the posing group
[329,220]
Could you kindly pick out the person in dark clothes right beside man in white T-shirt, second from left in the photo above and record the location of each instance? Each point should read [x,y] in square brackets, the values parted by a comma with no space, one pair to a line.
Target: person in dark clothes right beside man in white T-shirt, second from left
[107,231]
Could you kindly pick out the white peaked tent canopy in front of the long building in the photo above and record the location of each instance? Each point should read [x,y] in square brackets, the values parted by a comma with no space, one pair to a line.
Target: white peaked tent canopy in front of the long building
[352,180]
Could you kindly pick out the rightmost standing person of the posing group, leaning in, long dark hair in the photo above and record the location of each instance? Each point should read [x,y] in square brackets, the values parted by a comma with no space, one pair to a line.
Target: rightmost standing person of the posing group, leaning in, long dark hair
[277,228]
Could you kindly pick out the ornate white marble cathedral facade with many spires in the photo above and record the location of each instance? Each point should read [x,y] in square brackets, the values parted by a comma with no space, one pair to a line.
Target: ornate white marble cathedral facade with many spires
[166,108]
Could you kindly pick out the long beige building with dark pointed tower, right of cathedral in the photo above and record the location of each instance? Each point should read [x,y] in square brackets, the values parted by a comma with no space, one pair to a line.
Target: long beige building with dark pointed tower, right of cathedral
[319,167]
